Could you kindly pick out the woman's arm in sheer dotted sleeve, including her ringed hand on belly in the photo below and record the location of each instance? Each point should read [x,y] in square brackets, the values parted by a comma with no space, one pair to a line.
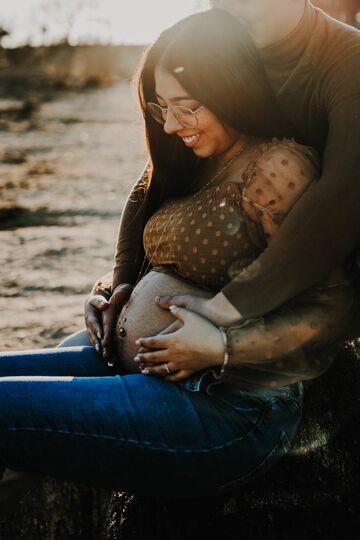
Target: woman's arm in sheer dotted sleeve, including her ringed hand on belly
[295,343]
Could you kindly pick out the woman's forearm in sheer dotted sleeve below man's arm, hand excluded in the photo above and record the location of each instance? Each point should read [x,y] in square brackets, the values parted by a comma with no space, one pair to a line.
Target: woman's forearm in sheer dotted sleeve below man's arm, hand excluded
[297,341]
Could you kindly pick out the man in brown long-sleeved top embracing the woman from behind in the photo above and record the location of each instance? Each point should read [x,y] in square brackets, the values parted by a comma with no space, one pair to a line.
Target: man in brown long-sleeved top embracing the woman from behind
[313,63]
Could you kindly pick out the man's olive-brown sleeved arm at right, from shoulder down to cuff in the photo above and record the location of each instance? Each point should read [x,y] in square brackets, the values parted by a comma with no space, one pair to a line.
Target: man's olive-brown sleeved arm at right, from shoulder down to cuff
[324,226]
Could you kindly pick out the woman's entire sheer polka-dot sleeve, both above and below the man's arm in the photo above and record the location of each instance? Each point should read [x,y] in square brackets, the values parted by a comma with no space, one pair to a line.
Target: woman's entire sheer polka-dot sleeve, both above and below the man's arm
[298,340]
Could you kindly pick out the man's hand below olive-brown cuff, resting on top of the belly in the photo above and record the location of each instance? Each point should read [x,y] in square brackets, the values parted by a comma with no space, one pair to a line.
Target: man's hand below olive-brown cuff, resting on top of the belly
[218,309]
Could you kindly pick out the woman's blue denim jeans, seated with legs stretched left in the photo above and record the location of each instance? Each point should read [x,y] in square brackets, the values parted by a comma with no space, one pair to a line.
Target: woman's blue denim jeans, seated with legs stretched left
[66,414]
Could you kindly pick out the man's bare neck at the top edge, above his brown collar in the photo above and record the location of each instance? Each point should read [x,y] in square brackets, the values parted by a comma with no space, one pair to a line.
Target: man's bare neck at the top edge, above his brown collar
[274,22]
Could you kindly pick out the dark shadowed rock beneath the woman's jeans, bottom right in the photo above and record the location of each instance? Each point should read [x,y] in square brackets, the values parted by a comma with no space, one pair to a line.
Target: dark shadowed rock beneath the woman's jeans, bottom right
[313,492]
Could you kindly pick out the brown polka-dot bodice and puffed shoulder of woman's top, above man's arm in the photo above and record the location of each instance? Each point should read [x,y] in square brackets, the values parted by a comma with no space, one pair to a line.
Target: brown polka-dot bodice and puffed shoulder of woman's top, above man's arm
[210,236]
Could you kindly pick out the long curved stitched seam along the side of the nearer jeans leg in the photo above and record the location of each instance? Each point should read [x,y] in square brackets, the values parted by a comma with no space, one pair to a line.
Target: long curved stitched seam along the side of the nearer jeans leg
[147,444]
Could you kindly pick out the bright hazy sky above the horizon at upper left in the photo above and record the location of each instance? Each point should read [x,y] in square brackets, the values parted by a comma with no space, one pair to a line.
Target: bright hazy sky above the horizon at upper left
[91,21]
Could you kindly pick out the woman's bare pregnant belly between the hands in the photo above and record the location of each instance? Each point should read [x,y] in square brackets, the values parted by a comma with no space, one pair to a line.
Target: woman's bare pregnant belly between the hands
[141,317]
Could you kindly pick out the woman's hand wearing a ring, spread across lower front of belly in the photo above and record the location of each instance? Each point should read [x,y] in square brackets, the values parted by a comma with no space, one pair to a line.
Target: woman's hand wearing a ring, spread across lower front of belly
[197,344]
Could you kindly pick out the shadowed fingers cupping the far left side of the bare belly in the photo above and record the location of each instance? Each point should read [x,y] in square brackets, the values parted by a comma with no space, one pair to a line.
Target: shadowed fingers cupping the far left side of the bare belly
[101,316]
